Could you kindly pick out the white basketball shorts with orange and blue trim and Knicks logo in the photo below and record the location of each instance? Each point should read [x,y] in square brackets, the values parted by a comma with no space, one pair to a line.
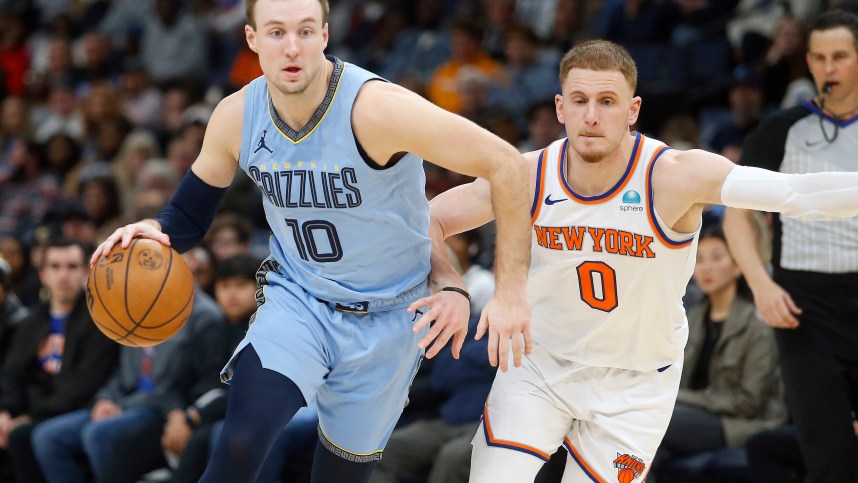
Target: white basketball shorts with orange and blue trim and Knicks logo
[611,421]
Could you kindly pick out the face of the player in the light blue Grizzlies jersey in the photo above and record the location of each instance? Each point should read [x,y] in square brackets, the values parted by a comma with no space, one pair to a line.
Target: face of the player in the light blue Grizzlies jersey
[290,40]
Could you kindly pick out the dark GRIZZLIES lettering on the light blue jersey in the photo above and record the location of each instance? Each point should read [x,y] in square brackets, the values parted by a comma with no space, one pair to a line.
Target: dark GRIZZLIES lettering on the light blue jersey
[307,185]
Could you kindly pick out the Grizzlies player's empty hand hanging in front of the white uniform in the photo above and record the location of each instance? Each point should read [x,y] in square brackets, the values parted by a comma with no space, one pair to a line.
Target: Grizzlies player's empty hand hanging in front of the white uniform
[507,320]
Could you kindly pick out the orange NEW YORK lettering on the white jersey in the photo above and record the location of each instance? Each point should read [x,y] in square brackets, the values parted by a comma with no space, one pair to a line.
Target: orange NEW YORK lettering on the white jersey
[609,240]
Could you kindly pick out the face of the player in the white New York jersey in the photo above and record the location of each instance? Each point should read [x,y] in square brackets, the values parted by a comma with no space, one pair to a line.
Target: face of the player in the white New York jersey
[597,108]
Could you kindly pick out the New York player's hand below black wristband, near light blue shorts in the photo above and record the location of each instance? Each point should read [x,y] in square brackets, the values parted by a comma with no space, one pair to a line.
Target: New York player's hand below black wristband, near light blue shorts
[448,313]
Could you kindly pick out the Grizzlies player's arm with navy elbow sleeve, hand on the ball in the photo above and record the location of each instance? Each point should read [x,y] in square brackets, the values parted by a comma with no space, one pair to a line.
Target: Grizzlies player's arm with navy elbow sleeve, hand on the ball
[186,219]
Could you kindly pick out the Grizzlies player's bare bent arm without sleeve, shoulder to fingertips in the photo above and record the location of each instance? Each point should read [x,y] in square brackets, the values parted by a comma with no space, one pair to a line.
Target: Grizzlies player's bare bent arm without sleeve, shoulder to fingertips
[389,119]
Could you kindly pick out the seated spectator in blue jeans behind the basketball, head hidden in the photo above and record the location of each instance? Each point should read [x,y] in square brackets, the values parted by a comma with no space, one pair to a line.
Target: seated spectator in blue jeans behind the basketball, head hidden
[120,435]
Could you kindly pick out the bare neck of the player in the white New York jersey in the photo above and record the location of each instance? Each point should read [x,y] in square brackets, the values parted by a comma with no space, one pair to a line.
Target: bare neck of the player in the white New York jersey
[593,178]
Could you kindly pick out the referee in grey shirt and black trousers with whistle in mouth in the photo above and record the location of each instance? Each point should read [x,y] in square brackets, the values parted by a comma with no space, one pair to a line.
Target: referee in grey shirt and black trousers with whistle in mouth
[812,298]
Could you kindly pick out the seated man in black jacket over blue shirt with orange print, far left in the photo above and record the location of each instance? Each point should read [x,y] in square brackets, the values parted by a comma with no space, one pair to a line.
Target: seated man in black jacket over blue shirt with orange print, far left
[57,360]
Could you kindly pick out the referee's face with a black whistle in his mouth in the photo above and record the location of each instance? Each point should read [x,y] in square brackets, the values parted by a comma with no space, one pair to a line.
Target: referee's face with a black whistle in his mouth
[831,57]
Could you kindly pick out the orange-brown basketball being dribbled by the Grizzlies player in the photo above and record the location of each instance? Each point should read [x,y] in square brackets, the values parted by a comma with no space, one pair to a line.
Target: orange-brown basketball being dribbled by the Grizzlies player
[141,295]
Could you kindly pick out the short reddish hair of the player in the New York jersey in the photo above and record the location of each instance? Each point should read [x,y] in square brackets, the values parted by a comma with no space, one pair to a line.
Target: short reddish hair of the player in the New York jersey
[600,55]
